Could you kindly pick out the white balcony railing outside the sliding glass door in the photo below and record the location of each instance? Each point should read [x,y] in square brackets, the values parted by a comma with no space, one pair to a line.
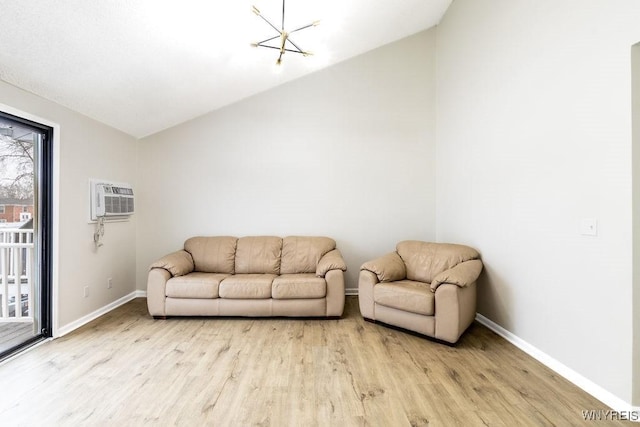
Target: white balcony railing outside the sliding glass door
[16,274]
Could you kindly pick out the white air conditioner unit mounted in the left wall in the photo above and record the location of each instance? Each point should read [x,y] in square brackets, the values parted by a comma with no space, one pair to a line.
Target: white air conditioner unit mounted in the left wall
[111,200]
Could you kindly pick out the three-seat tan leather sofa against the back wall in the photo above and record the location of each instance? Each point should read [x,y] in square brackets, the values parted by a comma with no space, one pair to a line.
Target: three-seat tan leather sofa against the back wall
[249,276]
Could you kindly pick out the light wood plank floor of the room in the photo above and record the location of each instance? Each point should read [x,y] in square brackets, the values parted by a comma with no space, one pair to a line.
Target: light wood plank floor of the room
[128,369]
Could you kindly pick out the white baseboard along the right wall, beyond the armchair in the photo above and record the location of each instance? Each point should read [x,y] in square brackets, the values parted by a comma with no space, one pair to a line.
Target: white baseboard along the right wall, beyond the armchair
[585,384]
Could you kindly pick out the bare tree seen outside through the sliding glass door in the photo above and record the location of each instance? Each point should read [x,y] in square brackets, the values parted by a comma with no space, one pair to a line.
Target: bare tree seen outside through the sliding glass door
[16,164]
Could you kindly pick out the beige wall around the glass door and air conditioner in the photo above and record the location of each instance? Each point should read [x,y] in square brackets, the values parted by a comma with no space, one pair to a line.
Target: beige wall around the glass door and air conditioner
[86,149]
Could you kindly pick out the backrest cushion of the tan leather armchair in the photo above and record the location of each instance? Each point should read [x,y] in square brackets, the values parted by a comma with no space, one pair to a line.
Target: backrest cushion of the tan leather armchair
[424,260]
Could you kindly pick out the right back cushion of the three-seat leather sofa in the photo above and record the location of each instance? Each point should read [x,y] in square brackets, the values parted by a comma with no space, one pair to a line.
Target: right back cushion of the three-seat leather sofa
[300,254]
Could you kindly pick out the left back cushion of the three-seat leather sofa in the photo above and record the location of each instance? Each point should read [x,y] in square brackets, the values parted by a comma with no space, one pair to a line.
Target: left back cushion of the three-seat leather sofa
[212,254]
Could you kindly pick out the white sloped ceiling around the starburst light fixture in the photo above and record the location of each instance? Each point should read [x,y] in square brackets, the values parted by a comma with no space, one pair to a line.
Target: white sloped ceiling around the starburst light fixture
[142,66]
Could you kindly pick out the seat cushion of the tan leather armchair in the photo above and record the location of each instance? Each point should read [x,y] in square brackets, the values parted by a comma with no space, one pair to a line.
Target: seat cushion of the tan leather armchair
[406,295]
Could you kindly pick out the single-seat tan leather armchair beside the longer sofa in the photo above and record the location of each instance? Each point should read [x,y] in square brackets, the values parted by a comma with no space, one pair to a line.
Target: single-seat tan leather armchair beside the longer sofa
[429,288]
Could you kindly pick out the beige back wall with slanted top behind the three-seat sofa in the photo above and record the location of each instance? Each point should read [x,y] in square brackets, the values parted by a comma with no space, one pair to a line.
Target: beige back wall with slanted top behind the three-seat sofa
[347,152]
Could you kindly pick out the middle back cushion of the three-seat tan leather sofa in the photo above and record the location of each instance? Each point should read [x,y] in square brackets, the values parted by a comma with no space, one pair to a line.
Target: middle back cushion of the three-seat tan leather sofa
[259,254]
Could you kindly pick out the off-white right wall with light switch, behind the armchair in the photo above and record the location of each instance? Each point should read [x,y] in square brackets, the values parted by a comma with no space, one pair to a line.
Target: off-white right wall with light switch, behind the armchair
[534,134]
